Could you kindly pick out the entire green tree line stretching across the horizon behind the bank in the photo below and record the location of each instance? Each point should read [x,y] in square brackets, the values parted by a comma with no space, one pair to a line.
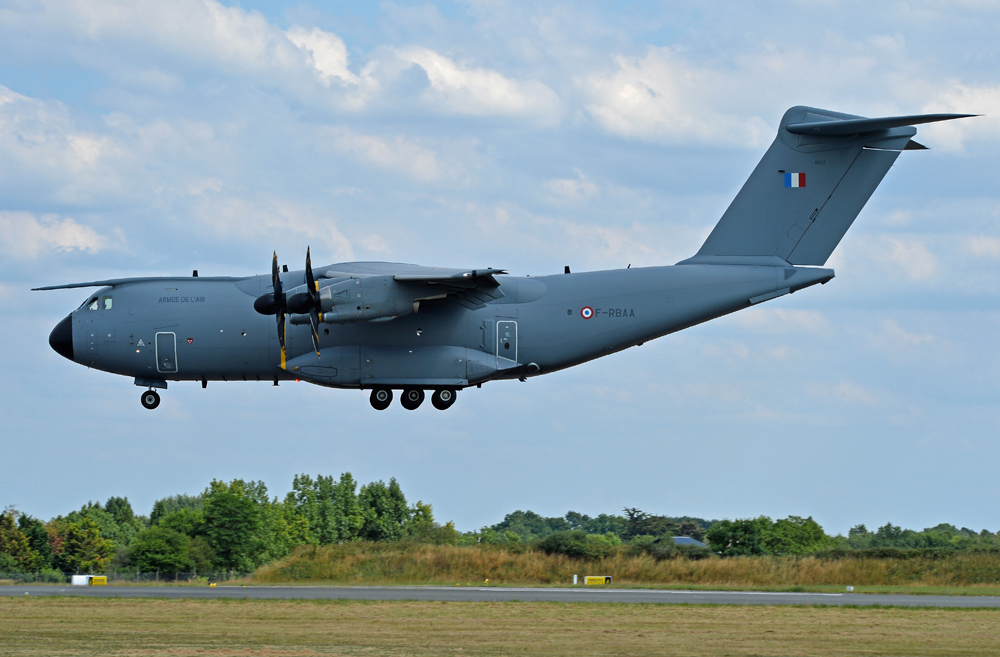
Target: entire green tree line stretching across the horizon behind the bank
[237,526]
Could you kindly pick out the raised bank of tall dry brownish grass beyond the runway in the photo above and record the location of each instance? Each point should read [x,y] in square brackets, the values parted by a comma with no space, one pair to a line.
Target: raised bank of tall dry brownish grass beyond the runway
[368,563]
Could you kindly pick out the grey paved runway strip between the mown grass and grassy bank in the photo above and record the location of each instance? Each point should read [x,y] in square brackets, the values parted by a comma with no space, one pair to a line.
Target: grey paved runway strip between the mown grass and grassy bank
[463,594]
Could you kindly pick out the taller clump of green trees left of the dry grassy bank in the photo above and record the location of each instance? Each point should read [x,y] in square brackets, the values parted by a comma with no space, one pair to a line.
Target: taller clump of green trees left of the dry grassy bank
[230,526]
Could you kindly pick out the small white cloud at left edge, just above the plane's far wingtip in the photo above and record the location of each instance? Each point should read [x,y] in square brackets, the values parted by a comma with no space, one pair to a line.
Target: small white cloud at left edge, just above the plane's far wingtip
[25,236]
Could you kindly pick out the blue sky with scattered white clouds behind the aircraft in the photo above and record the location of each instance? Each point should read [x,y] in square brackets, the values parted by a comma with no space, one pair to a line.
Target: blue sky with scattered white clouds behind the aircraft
[149,138]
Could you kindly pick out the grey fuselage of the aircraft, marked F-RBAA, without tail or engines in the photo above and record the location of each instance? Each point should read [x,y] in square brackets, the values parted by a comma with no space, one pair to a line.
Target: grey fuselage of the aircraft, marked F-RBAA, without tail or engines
[206,329]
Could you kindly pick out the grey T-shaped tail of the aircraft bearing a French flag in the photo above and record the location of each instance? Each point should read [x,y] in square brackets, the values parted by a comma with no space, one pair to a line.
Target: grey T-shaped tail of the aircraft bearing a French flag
[809,187]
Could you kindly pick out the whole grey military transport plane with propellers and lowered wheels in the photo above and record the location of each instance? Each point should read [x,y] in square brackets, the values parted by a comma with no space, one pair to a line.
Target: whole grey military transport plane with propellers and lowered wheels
[382,326]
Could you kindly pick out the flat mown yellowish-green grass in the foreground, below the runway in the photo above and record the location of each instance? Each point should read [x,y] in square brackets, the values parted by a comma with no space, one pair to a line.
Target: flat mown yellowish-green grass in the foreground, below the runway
[223,628]
